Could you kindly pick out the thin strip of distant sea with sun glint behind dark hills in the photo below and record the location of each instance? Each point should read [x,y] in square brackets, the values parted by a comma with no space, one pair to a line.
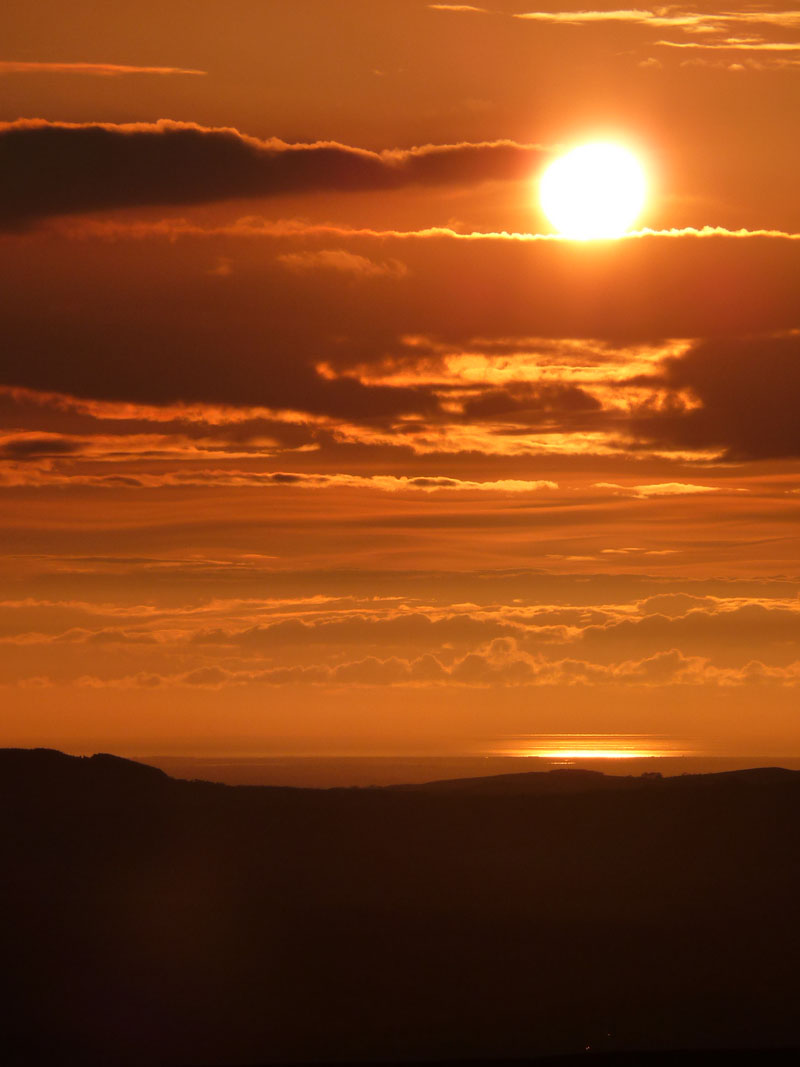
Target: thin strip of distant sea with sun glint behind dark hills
[322,772]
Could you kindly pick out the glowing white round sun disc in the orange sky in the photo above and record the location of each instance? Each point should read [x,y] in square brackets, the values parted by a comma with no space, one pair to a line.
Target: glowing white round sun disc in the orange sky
[596,192]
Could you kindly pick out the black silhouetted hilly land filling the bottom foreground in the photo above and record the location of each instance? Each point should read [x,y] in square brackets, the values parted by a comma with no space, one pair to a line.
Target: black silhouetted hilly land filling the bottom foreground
[152,921]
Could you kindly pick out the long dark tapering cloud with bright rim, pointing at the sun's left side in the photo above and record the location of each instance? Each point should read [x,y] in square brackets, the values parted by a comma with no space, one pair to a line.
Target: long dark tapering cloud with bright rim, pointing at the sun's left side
[58,168]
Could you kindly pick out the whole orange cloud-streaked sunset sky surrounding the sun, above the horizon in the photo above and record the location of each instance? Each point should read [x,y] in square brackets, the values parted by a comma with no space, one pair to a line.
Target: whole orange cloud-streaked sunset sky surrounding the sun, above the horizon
[315,438]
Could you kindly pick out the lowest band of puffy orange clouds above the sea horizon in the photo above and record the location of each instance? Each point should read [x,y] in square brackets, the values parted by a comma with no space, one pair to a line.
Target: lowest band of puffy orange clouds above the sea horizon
[668,640]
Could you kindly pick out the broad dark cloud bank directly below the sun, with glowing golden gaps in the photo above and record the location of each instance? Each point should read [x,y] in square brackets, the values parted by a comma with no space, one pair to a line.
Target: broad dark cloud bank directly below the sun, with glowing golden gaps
[143,323]
